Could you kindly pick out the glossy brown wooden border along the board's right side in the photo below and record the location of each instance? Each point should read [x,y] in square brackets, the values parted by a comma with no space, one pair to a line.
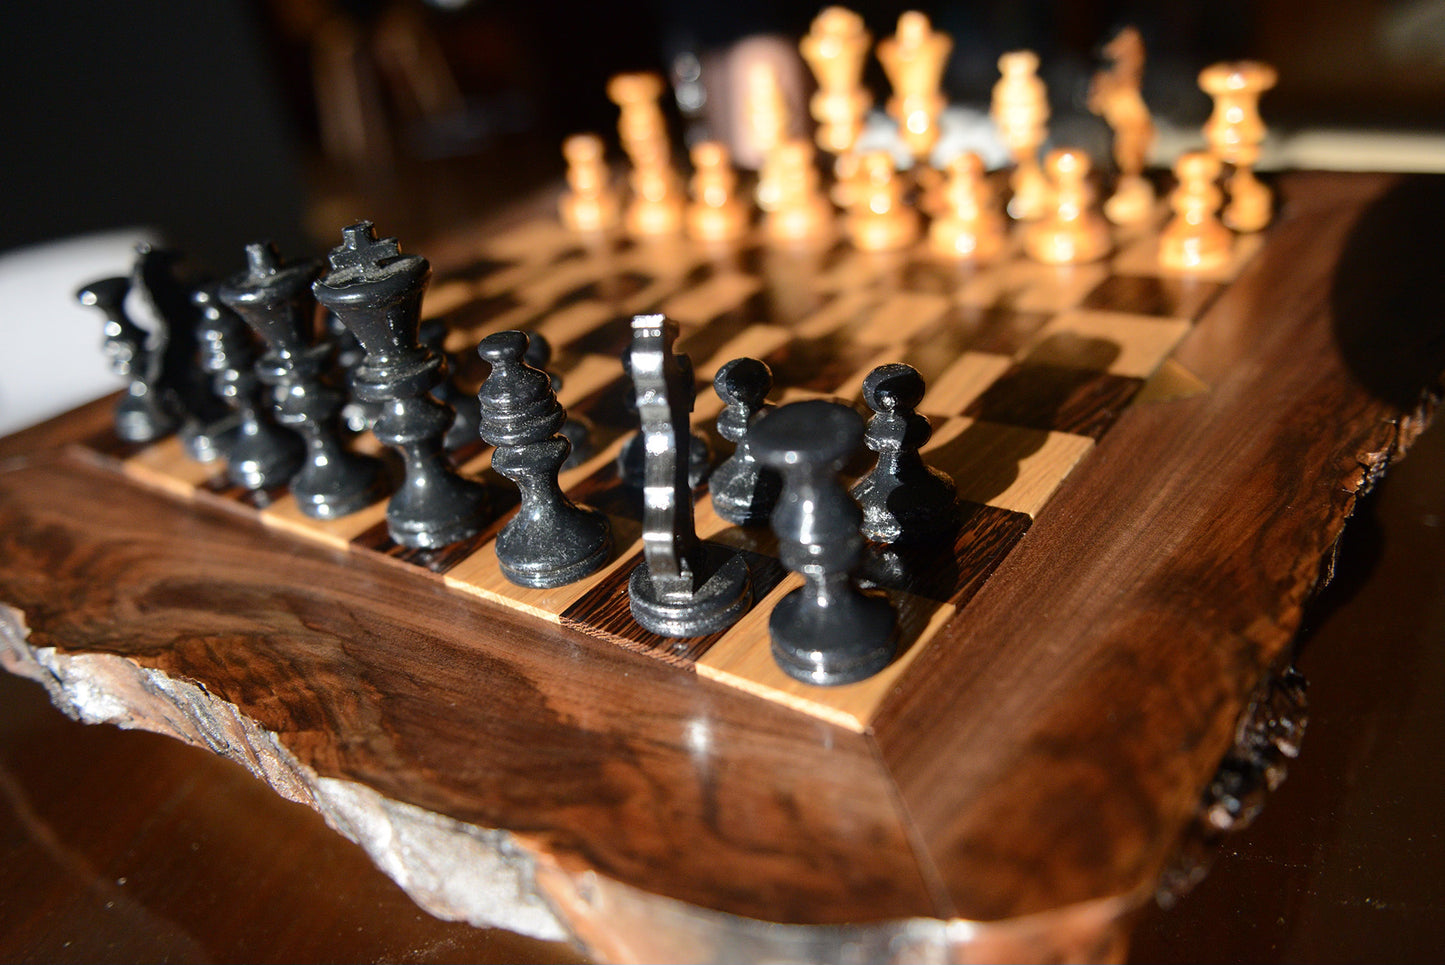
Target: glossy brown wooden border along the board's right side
[1176,570]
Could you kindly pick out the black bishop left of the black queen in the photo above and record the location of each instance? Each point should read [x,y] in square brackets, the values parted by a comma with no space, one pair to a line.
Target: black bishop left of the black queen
[264,454]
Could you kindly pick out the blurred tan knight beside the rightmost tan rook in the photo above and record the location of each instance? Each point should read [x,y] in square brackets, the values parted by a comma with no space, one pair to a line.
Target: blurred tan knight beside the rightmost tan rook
[1116,96]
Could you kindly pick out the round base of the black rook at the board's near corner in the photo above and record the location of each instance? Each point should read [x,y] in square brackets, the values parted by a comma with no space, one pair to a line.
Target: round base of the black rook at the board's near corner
[849,641]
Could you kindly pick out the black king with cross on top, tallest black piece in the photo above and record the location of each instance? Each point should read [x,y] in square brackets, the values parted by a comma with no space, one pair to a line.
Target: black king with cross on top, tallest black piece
[376,293]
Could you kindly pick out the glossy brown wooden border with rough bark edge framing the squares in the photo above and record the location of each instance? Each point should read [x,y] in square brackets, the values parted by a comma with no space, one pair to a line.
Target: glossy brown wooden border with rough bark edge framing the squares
[1022,802]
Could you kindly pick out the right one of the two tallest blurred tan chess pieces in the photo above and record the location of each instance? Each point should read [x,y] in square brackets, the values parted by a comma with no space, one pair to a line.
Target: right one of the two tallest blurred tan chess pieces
[915,59]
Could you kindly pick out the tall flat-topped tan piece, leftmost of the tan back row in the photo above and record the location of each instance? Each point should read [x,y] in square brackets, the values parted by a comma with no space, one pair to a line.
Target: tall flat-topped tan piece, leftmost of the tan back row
[657,207]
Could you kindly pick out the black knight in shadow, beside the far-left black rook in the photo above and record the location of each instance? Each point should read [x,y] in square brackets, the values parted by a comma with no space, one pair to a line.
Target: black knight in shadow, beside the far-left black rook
[207,424]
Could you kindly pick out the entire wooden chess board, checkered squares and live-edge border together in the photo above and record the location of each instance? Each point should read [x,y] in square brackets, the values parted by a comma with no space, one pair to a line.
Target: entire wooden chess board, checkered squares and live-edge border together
[1154,469]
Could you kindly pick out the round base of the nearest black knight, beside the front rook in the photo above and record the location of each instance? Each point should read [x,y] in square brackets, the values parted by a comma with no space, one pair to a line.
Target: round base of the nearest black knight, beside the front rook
[722,599]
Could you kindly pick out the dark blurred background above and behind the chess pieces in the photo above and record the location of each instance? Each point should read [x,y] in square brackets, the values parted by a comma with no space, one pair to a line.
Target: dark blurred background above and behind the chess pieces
[226,122]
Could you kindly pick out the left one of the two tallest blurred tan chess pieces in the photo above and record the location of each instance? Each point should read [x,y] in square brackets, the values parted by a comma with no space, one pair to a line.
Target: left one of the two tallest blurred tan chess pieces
[836,51]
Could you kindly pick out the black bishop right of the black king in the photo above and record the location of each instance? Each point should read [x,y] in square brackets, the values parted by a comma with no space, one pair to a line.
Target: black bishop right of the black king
[551,541]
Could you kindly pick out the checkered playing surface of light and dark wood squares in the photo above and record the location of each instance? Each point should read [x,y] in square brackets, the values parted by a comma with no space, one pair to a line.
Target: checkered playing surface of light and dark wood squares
[1027,365]
